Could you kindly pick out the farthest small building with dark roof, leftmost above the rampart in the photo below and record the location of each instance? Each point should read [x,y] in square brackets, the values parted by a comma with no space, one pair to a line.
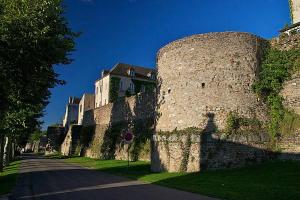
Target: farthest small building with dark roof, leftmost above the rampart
[71,114]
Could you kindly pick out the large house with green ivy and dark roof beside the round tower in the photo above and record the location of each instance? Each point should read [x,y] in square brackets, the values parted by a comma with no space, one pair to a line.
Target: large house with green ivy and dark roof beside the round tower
[123,80]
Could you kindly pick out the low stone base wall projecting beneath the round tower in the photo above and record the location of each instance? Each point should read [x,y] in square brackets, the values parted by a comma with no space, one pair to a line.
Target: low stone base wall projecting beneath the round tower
[218,151]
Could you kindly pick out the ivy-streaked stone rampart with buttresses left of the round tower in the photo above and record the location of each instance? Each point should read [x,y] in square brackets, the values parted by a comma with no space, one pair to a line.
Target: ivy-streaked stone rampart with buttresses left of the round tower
[100,134]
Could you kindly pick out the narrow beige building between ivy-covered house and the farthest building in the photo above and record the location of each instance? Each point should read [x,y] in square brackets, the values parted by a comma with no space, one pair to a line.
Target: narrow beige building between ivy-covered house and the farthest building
[87,102]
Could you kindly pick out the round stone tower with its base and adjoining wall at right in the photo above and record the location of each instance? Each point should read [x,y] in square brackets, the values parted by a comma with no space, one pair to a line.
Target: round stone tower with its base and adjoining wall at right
[200,80]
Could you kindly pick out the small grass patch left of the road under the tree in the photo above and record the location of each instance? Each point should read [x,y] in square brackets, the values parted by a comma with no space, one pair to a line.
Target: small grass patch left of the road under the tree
[8,177]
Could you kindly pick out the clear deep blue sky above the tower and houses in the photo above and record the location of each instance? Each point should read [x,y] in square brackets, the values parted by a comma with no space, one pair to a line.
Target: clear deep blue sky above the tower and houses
[132,31]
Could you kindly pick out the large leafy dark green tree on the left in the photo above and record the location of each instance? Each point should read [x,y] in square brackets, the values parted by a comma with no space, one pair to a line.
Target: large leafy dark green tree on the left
[34,36]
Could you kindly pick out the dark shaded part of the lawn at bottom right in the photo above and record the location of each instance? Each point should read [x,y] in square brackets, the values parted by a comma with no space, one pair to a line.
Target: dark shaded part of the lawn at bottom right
[270,180]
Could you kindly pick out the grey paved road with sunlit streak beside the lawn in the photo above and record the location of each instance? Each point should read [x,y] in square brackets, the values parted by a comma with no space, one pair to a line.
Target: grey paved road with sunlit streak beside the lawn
[50,179]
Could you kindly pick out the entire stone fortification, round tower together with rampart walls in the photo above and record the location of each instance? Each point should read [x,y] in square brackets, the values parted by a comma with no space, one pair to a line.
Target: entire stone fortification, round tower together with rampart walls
[204,84]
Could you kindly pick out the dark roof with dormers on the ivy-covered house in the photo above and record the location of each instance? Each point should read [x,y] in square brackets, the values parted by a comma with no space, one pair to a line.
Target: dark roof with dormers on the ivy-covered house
[121,69]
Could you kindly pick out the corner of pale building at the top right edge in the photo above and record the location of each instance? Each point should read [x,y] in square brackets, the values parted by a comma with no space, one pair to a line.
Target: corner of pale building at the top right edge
[295,16]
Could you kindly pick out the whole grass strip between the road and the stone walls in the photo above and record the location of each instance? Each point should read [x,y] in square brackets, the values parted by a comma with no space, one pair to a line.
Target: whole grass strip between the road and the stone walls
[272,180]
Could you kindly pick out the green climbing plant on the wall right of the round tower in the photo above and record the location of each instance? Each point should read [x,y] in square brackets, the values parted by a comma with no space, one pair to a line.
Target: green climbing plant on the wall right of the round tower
[277,67]
